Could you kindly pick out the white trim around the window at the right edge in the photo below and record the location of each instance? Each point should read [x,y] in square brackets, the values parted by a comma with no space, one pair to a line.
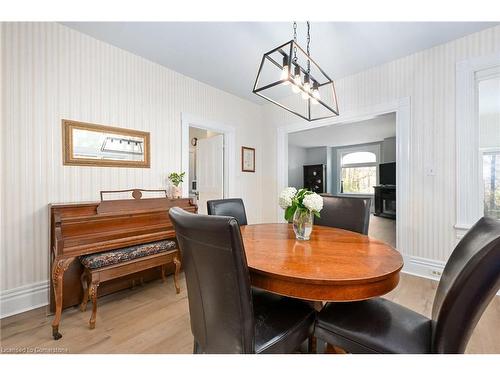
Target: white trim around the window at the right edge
[468,168]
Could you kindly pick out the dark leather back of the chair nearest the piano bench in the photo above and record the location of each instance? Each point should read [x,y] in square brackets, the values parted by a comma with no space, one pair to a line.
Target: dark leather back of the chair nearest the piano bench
[218,282]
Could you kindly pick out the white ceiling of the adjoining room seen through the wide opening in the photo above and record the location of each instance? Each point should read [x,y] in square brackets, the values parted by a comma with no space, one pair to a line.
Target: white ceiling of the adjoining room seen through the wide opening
[346,134]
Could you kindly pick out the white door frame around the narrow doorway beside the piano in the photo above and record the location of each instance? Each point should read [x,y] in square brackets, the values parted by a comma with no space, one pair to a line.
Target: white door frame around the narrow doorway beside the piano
[227,131]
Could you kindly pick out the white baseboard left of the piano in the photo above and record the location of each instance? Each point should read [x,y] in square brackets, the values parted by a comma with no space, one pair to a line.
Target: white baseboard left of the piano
[24,298]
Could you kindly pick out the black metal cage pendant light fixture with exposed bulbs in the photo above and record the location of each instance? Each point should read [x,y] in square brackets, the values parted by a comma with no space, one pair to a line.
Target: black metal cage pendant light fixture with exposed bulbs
[312,95]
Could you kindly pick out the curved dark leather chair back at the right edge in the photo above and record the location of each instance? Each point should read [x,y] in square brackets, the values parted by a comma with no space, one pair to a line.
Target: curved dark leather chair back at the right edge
[470,280]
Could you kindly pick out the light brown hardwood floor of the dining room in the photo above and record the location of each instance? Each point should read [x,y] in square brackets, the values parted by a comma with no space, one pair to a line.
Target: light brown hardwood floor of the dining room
[153,319]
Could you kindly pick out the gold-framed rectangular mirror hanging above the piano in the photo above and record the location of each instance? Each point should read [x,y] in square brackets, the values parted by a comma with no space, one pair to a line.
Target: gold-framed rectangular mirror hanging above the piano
[104,146]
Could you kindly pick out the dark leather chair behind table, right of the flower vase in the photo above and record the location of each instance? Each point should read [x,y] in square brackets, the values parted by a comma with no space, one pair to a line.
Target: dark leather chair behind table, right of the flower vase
[349,213]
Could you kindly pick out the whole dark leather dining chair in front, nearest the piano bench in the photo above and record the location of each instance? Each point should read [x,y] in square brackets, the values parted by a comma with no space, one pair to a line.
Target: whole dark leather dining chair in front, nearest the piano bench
[227,315]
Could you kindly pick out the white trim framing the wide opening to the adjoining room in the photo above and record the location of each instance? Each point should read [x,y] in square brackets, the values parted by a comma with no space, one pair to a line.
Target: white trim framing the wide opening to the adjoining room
[402,108]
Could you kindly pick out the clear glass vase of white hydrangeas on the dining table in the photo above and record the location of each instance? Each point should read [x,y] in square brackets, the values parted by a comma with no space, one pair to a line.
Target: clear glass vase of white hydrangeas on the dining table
[301,206]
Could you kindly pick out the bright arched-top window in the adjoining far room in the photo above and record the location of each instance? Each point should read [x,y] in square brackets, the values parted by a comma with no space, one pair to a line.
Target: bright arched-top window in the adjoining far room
[358,169]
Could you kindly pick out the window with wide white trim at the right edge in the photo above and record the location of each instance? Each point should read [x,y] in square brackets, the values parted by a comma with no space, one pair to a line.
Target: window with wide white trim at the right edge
[477,119]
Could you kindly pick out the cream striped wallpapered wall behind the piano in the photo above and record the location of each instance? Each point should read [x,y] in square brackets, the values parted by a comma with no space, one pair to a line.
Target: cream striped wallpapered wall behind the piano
[50,72]
